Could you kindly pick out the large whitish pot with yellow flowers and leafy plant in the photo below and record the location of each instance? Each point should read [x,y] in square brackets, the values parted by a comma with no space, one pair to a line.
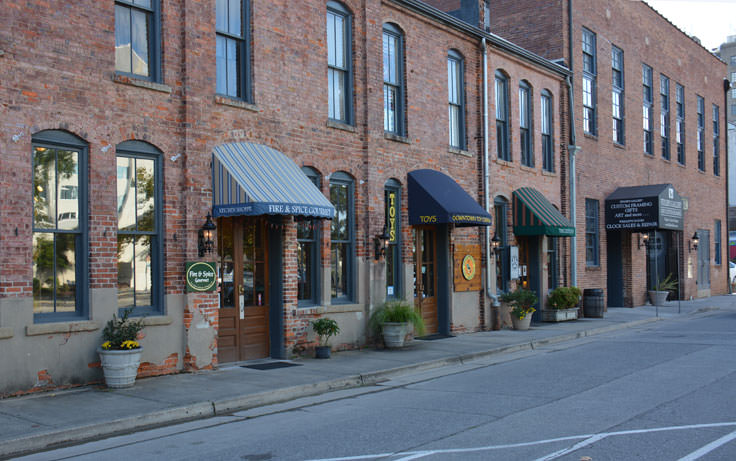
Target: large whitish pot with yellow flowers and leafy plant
[120,353]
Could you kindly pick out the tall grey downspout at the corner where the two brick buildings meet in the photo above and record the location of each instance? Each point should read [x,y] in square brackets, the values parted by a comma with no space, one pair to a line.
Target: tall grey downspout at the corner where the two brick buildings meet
[573,149]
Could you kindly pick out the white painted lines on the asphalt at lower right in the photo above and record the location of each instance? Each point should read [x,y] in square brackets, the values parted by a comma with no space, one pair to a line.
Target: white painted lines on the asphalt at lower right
[588,439]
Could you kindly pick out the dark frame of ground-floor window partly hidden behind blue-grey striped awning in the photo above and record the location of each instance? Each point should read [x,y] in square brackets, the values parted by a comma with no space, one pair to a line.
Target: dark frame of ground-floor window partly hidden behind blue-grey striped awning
[315,241]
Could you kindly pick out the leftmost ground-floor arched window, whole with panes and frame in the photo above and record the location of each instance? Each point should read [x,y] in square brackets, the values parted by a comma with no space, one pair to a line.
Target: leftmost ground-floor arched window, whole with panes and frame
[60,232]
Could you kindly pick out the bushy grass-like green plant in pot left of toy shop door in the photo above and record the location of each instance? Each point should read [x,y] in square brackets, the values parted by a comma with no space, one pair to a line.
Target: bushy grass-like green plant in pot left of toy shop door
[392,320]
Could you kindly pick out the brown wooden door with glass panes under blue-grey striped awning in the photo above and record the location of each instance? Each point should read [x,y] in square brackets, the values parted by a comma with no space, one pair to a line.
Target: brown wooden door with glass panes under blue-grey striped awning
[243,331]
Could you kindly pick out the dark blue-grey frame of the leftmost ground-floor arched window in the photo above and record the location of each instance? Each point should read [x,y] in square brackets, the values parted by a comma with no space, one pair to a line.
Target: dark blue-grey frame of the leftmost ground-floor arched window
[62,140]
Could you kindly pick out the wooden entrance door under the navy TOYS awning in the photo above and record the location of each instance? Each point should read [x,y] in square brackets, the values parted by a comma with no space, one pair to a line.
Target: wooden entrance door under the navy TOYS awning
[425,276]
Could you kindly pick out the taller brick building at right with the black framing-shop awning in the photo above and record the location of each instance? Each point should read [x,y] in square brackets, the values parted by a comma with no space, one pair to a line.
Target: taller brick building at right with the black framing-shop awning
[648,116]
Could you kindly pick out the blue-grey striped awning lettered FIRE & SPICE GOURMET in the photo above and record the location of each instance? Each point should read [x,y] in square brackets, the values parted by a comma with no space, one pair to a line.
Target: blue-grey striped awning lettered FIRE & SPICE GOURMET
[253,179]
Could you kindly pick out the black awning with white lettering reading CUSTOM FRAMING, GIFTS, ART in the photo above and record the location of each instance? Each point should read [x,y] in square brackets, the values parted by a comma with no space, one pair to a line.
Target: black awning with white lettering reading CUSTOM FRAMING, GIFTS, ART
[644,208]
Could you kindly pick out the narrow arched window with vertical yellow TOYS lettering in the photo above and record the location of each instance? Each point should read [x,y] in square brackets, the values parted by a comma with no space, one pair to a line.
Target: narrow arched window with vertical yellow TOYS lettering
[392,193]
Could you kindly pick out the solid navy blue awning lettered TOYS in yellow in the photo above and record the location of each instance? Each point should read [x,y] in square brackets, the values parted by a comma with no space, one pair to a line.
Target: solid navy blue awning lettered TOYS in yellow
[435,198]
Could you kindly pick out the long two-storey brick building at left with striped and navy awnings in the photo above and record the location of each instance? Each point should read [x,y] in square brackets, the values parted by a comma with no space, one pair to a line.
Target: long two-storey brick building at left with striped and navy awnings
[304,136]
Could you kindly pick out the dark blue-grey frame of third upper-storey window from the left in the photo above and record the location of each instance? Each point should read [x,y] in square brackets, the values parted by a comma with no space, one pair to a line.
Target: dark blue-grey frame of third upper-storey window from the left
[346,71]
